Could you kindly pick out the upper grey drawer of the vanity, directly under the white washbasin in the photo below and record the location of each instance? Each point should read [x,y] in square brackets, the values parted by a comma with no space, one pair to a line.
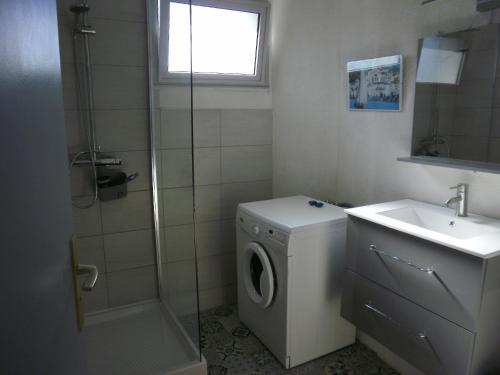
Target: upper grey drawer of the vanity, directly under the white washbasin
[438,278]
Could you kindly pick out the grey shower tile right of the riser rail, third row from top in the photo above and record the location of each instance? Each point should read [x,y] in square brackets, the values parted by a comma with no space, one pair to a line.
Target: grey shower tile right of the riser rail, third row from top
[120,87]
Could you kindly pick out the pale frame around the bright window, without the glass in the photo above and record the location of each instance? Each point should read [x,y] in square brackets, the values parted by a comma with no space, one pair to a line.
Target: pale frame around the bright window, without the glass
[261,75]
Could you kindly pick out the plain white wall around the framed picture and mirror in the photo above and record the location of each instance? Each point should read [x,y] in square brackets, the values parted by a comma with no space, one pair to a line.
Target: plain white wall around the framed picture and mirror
[322,149]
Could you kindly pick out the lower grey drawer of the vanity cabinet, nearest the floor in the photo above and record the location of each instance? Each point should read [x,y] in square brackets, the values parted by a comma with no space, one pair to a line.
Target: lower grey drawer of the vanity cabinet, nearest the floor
[428,341]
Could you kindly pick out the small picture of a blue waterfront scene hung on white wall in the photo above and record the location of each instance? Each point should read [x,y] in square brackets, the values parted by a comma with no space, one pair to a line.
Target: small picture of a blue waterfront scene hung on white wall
[376,84]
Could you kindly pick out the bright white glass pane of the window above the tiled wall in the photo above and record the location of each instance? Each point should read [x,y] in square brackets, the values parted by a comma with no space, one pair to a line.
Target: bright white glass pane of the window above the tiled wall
[224,41]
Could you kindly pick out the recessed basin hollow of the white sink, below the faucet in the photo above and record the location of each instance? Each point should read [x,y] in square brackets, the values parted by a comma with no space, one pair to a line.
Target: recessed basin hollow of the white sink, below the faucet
[438,220]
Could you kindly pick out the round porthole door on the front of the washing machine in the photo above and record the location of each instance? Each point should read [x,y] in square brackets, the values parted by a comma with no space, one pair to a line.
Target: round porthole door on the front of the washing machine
[258,275]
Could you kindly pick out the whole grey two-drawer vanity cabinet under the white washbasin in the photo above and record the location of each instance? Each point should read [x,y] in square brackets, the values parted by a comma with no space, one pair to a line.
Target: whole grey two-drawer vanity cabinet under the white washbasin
[436,307]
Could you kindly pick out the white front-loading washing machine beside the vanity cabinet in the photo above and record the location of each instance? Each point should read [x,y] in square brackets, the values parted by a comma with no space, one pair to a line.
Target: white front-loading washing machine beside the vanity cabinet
[290,261]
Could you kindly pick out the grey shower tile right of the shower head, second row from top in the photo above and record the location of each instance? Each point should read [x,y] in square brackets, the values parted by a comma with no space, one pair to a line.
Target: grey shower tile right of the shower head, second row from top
[119,42]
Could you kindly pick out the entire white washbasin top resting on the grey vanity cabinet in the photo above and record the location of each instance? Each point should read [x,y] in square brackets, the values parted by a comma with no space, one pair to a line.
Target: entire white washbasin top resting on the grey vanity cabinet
[476,235]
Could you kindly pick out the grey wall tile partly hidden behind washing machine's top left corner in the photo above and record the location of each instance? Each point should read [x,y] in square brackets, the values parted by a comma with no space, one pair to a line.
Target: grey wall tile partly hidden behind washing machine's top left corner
[233,194]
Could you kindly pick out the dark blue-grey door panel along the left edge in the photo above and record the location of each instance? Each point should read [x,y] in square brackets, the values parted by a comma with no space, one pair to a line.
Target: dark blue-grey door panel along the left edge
[37,305]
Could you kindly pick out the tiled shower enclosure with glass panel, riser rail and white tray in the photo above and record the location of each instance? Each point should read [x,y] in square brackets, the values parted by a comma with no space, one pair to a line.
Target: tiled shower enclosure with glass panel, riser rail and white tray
[142,315]
